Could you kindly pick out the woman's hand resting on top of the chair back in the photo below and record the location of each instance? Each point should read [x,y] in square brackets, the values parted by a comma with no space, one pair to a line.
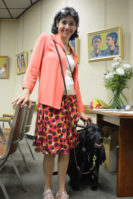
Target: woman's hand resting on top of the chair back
[23,99]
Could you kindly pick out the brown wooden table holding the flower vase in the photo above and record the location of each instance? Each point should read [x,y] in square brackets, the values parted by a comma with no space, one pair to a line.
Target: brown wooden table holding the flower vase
[123,119]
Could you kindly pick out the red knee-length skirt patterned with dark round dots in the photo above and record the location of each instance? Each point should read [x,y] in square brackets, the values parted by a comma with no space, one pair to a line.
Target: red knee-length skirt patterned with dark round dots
[55,129]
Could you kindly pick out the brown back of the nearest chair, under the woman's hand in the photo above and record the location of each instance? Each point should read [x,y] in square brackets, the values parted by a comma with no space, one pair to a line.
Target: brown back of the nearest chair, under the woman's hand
[14,135]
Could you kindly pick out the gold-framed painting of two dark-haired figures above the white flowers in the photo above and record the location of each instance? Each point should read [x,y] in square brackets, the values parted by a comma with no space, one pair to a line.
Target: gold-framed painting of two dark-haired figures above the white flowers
[105,44]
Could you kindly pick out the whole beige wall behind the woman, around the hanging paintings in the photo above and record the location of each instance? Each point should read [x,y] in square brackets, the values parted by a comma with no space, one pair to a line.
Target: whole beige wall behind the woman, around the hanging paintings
[19,35]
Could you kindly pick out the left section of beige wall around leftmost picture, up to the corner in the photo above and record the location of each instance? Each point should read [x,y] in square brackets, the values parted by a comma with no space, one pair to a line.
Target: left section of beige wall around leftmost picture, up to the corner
[8,48]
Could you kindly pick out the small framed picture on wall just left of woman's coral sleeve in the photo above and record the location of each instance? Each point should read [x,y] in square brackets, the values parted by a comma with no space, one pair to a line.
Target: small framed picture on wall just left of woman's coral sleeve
[22,62]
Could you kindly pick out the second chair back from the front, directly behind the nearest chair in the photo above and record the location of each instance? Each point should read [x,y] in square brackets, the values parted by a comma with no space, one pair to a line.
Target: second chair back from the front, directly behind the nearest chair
[30,116]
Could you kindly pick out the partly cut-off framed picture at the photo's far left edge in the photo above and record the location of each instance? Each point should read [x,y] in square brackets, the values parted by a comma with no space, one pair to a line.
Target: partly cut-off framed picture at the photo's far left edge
[4,70]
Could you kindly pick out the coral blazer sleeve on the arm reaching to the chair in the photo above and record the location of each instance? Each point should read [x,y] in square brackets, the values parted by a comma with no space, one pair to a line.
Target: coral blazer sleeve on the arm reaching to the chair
[33,70]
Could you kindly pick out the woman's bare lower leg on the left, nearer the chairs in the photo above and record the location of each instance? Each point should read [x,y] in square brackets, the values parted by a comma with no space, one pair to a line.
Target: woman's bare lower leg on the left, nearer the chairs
[48,167]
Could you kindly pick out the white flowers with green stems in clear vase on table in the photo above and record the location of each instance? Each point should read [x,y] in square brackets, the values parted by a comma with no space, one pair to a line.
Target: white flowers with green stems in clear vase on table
[116,80]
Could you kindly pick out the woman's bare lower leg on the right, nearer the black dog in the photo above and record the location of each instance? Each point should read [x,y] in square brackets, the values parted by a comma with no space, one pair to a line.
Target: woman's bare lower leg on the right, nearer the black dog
[63,161]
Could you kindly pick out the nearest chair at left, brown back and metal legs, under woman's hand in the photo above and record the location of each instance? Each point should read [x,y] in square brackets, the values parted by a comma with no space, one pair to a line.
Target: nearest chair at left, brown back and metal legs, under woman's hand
[9,147]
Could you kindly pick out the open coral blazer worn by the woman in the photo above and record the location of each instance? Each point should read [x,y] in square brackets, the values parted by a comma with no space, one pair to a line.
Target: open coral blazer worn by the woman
[45,64]
